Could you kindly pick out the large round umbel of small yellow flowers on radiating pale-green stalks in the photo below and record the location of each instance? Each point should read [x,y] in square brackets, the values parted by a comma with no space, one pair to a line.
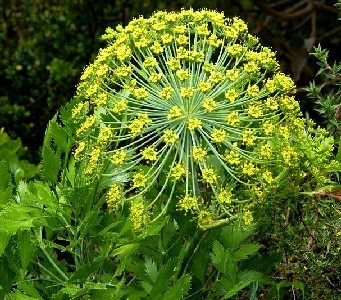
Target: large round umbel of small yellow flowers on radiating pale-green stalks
[193,109]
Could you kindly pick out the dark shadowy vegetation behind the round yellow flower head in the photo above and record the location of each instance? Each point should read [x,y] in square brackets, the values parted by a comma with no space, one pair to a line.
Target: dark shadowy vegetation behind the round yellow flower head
[45,45]
